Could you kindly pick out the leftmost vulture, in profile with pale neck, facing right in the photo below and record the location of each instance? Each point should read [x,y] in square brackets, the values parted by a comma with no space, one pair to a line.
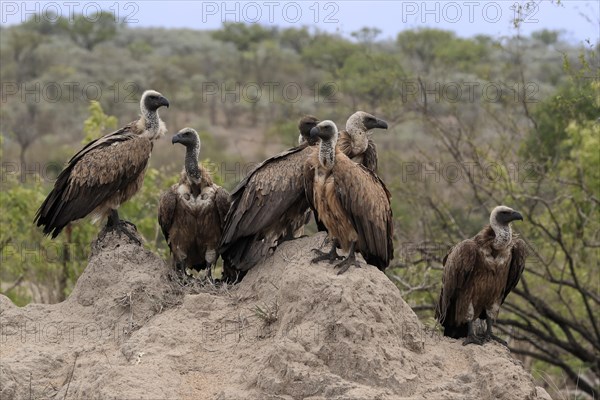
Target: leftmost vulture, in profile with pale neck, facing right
[105,173]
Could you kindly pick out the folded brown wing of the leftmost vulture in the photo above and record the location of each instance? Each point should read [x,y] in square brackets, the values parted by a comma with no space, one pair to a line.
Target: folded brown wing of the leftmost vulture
[101,169]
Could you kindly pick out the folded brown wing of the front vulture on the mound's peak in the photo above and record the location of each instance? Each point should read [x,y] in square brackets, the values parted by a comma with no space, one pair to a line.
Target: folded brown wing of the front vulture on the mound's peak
[367,202]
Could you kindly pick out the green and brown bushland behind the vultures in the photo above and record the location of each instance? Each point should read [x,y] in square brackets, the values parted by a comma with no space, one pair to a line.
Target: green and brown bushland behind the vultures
[474,123]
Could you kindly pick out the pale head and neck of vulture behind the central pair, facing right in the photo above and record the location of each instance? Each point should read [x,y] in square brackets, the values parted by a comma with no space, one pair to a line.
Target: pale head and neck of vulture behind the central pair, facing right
[356,141]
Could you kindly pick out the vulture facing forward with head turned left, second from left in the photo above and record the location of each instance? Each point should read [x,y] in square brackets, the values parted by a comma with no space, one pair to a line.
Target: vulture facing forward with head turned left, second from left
[192,212]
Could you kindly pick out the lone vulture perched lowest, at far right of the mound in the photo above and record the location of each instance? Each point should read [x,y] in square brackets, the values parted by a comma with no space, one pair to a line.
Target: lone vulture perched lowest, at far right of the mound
[478,275]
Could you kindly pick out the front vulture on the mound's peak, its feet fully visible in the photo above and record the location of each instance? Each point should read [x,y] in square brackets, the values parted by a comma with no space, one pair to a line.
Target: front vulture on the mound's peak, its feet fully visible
[351,201]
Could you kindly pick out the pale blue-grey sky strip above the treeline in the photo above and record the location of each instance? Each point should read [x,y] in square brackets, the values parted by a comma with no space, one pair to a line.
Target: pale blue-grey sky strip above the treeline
[580,19]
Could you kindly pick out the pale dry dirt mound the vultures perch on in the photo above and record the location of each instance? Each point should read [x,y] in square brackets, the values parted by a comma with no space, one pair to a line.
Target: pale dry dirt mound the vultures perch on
[290,330]
